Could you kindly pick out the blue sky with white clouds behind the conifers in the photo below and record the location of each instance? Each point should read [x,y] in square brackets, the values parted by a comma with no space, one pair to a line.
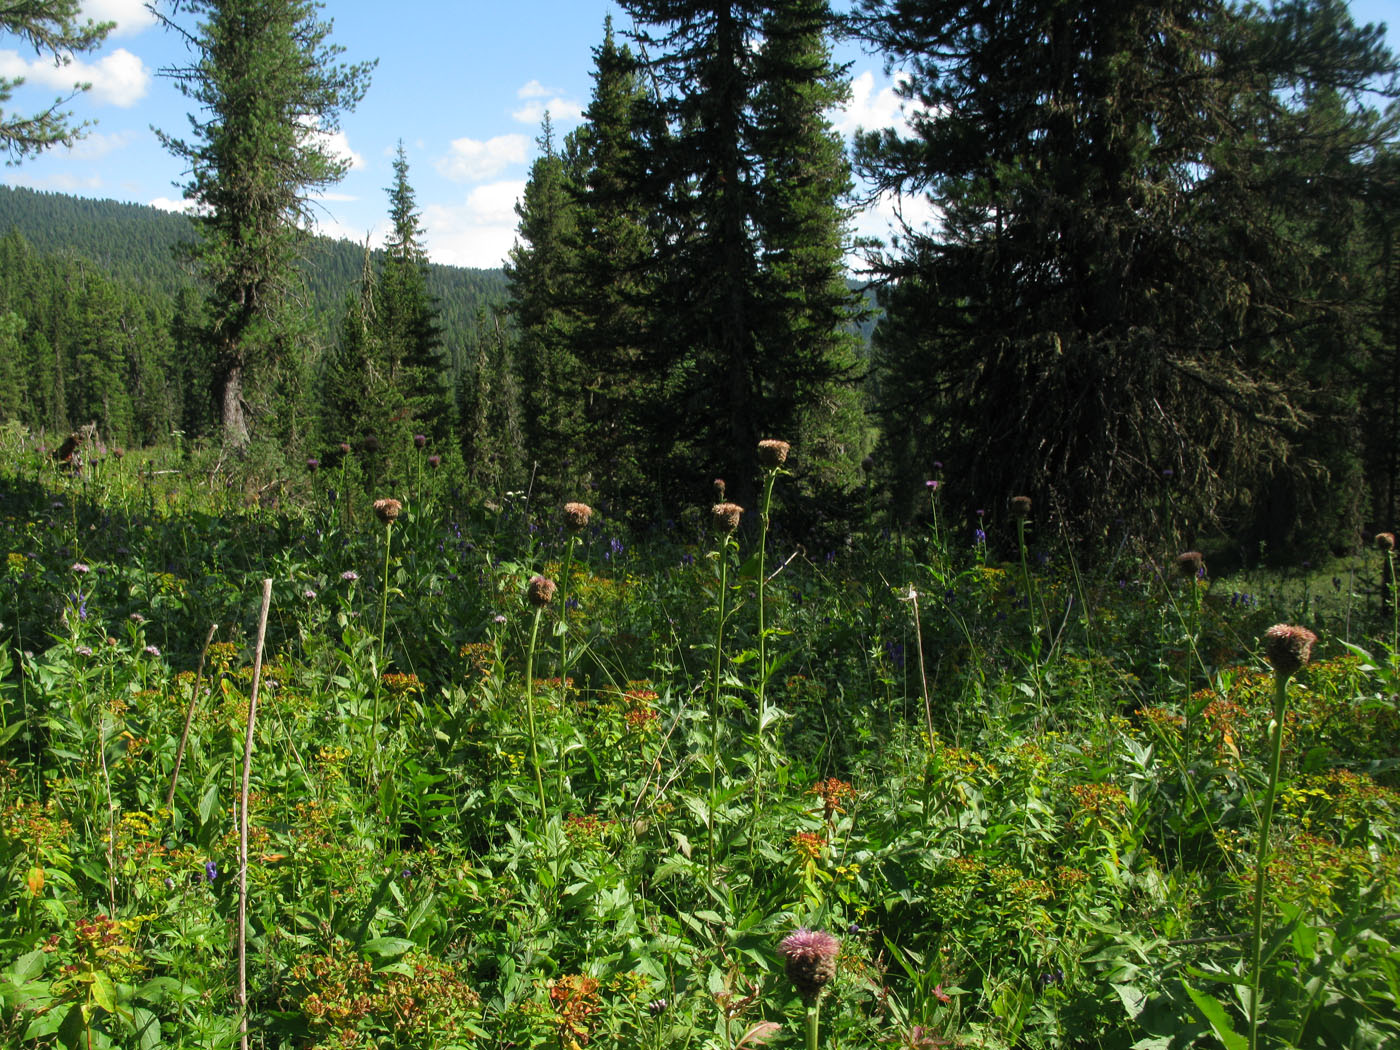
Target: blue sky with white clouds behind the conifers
[463,85]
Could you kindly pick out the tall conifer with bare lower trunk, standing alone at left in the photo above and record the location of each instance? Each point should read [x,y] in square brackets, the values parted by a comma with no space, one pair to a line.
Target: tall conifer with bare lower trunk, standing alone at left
[269,89]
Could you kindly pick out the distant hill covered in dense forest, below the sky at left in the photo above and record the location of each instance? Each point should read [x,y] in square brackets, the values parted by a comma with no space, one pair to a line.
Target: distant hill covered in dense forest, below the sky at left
[136,244]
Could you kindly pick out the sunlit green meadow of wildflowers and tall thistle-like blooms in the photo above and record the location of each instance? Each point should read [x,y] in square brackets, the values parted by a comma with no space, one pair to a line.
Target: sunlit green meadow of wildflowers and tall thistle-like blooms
[937,786]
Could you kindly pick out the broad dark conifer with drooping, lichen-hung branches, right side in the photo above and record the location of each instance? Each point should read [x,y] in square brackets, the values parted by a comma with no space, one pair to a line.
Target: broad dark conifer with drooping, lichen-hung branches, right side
[1115,289]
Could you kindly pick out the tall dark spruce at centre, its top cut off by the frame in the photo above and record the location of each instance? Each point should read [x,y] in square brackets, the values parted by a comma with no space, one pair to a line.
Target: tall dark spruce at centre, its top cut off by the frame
[743,331]
